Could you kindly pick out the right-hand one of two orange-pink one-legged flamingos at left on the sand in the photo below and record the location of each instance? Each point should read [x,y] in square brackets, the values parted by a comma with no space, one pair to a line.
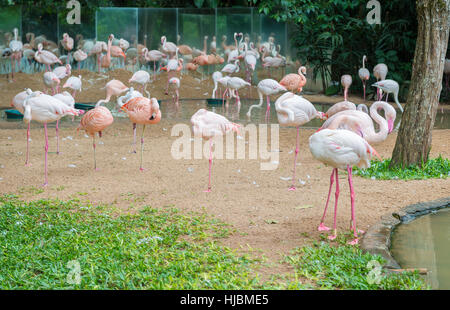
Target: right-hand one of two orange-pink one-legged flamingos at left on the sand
[143,111]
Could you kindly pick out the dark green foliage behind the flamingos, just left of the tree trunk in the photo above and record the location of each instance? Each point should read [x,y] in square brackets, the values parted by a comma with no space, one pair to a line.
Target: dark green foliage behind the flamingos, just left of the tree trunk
[333,35]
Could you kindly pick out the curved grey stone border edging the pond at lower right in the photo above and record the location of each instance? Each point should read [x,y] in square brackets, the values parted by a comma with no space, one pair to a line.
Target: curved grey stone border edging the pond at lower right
[377,239]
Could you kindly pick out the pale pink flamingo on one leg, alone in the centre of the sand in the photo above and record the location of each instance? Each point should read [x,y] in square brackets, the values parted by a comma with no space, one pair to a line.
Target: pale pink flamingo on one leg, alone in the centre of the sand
[207,125]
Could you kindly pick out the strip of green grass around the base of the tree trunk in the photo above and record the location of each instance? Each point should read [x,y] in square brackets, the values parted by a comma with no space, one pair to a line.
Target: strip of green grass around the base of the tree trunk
[434,168]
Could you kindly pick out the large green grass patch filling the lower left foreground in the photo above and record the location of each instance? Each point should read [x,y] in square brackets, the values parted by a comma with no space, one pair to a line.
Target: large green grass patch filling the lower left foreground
[43,242]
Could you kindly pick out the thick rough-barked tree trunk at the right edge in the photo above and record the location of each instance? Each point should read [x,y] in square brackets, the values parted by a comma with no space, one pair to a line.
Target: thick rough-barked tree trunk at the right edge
[414,137]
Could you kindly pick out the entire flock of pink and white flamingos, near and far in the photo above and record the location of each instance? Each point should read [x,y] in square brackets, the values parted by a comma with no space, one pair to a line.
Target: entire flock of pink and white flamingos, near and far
[343,141]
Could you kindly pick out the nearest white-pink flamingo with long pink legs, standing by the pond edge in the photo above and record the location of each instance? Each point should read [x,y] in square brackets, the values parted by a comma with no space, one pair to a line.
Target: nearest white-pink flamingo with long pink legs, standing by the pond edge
[341,149]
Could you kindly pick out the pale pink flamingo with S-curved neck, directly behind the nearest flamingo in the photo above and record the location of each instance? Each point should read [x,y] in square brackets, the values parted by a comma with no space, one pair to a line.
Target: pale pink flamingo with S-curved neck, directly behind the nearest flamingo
[361,123]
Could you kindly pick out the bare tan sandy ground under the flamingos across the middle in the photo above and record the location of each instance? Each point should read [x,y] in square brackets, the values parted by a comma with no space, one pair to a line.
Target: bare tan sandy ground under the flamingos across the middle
[256,203]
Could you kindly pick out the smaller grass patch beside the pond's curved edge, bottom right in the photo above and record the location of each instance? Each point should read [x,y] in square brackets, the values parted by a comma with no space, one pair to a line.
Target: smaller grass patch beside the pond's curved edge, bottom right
[347,267]
